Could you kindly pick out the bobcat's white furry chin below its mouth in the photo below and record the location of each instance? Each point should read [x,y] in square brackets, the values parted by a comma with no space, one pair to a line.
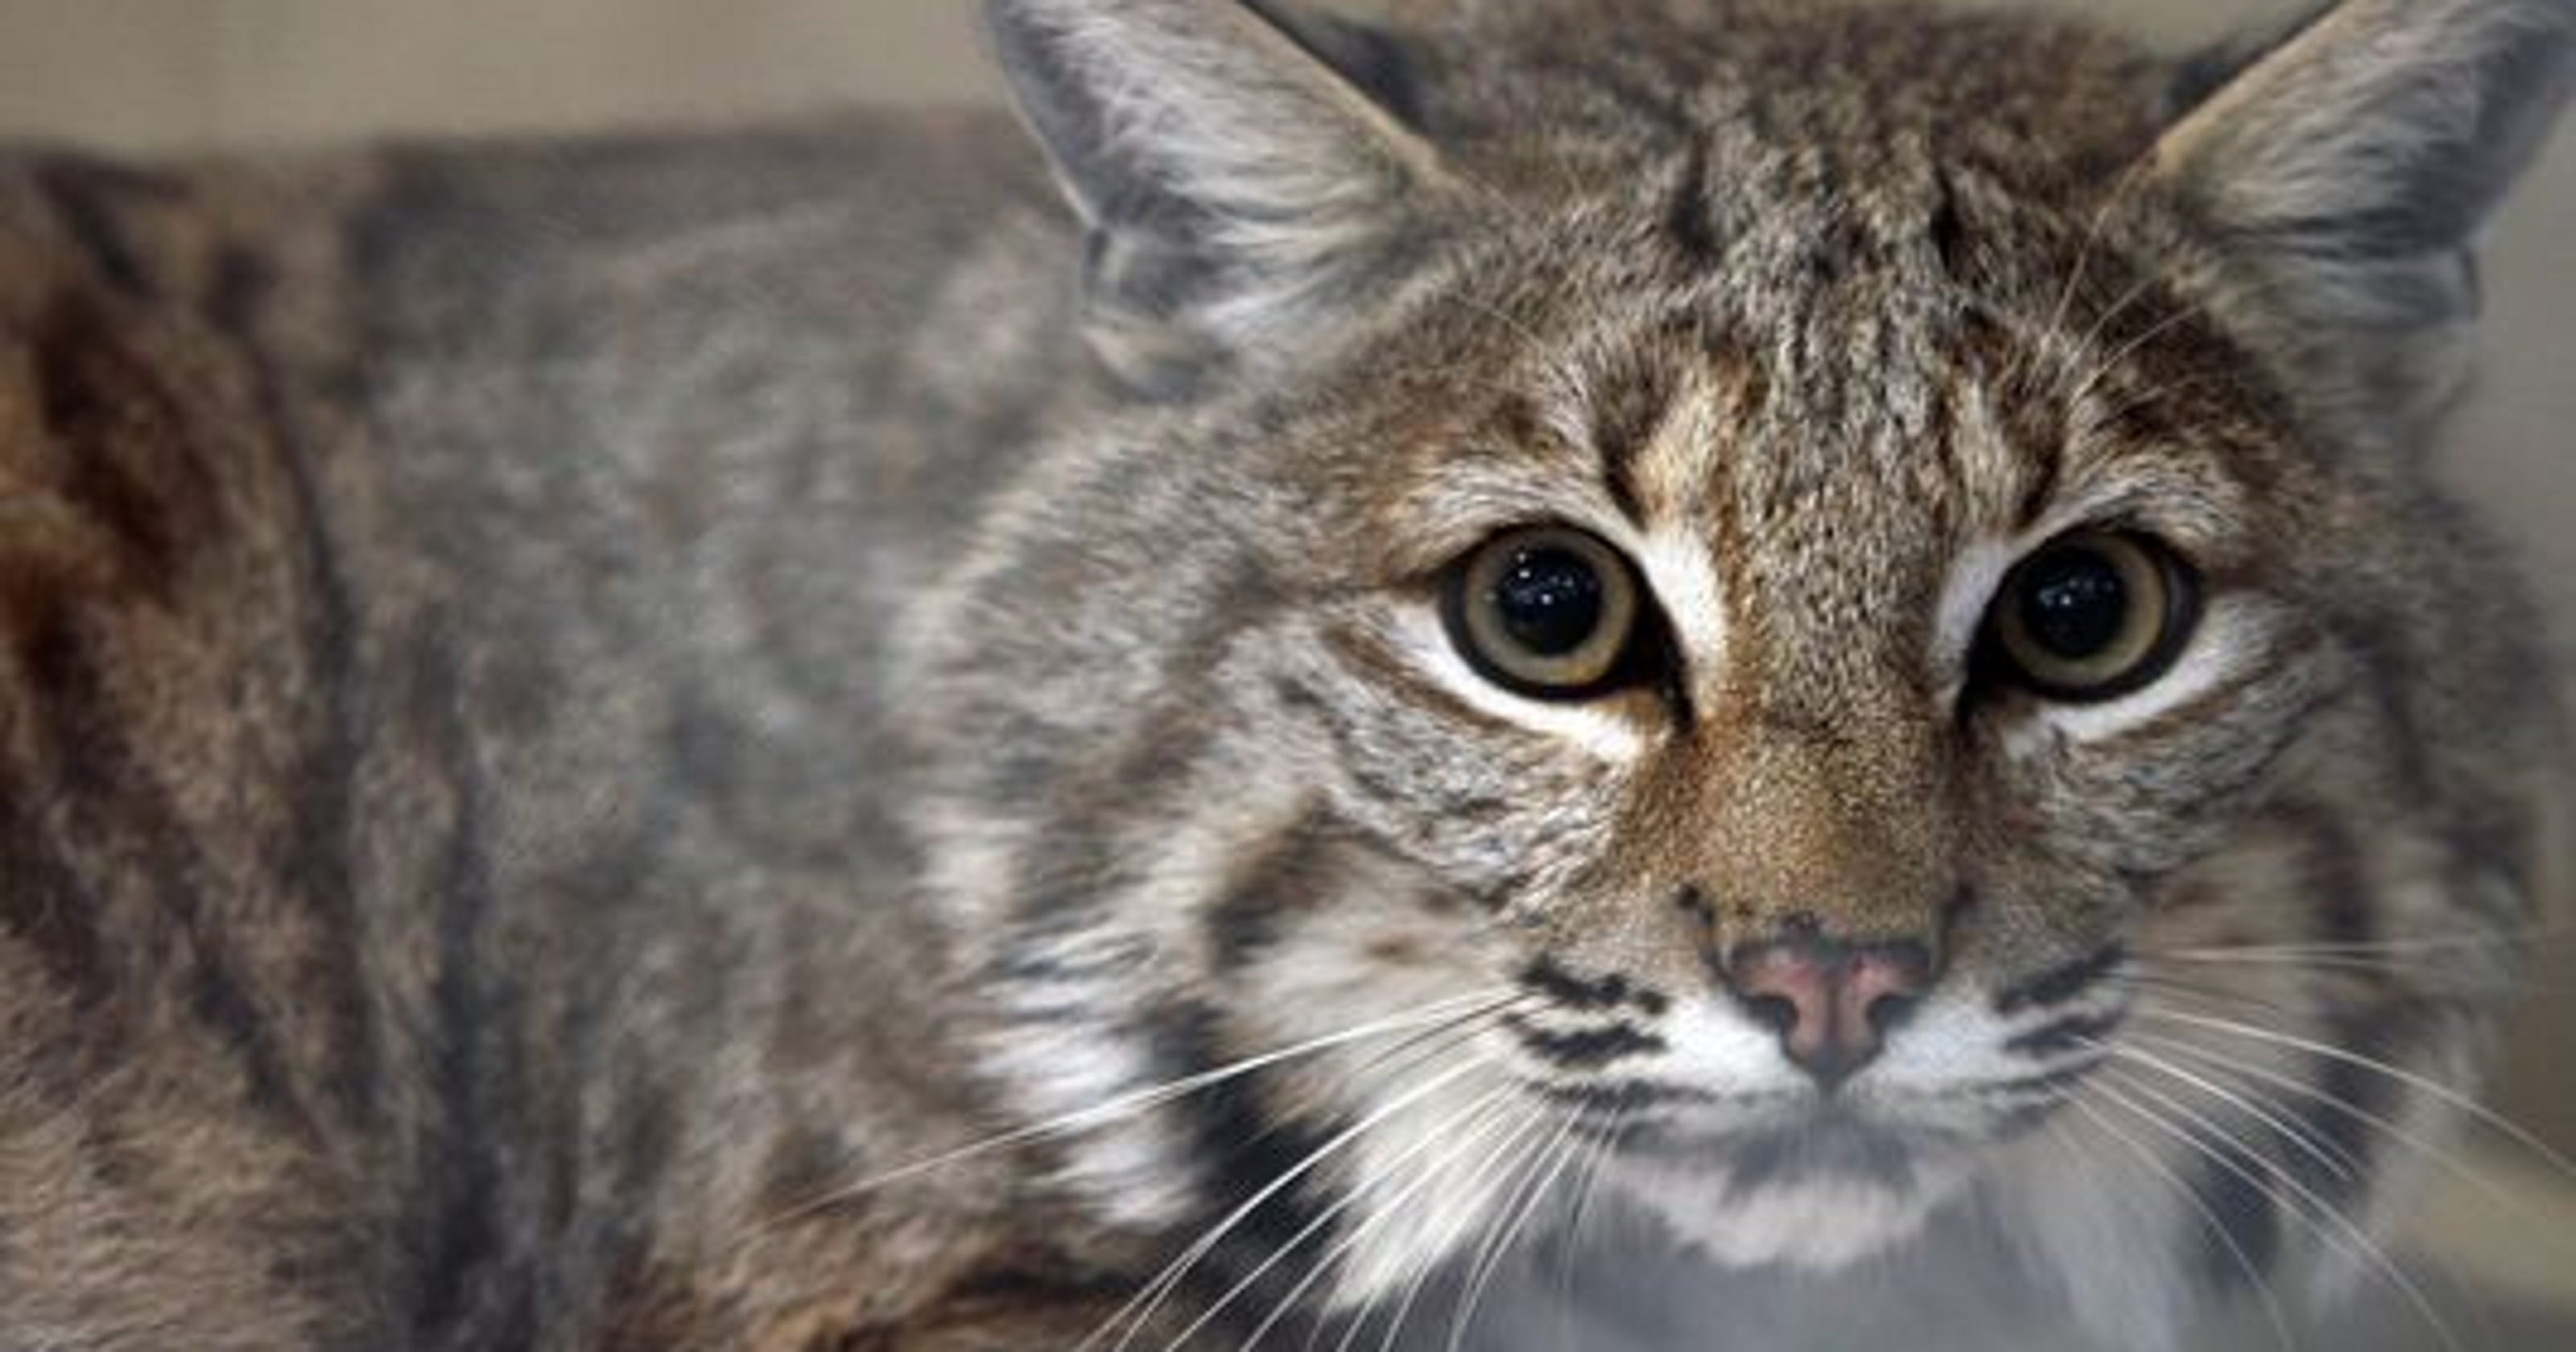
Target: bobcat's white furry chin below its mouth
[1812,1201]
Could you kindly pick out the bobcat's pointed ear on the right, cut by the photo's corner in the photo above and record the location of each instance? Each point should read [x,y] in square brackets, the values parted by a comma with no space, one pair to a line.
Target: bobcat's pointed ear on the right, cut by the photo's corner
[2351,166]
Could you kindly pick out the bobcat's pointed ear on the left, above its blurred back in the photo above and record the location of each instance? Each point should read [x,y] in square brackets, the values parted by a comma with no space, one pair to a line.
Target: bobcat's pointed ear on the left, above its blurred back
[1238,187]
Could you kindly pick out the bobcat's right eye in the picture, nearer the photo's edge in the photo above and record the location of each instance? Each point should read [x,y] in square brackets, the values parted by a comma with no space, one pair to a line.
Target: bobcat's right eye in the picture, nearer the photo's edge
[2093,617]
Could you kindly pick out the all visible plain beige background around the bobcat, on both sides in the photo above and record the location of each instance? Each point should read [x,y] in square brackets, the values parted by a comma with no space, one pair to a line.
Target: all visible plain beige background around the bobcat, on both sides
[156,76]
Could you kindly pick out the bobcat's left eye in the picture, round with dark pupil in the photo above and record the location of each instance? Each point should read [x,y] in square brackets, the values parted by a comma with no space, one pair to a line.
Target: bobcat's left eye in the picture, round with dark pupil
[1544,612]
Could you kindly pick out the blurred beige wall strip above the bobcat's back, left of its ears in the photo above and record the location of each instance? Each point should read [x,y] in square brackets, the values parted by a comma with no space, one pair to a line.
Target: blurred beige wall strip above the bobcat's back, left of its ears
[187,73]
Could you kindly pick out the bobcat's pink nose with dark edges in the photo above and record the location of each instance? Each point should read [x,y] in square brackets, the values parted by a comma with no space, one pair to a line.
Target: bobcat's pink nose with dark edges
[1830,1003]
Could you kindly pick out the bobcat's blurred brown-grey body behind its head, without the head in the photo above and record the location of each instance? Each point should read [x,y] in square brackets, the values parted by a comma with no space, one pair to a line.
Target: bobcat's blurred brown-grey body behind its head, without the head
[450,604]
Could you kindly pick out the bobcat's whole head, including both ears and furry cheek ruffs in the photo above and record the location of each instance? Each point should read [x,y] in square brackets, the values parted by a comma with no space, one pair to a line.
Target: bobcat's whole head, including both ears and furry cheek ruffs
[1753,653]
